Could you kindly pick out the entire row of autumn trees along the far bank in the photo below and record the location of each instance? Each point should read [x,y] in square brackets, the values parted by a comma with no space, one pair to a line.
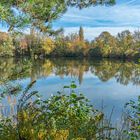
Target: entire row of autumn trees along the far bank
[36,44]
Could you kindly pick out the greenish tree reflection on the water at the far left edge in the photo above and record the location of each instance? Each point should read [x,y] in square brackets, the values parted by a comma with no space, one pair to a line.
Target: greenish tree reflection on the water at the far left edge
[12,70]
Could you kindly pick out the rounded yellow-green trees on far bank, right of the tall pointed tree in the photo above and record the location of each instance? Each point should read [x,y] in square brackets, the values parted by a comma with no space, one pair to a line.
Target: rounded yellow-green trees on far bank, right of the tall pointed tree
[125,45]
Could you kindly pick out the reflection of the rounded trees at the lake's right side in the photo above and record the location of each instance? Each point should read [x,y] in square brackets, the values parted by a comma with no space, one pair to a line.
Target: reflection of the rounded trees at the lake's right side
[123,72]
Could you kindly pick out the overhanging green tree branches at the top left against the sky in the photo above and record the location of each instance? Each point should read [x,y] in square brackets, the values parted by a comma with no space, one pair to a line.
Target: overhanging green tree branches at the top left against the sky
[39,13]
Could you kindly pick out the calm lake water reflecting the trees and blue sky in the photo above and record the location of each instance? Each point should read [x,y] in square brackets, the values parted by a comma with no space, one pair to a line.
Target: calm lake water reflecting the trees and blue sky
[108,84]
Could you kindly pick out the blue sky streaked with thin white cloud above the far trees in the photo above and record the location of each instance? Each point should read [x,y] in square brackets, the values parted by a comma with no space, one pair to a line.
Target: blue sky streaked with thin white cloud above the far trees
[124,15]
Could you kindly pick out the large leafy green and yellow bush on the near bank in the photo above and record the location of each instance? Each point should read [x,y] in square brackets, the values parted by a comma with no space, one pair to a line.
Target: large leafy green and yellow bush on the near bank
[61,116]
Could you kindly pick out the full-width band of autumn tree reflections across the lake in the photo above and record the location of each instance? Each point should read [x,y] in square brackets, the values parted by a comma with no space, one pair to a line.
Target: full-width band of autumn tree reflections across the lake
[123,72]
